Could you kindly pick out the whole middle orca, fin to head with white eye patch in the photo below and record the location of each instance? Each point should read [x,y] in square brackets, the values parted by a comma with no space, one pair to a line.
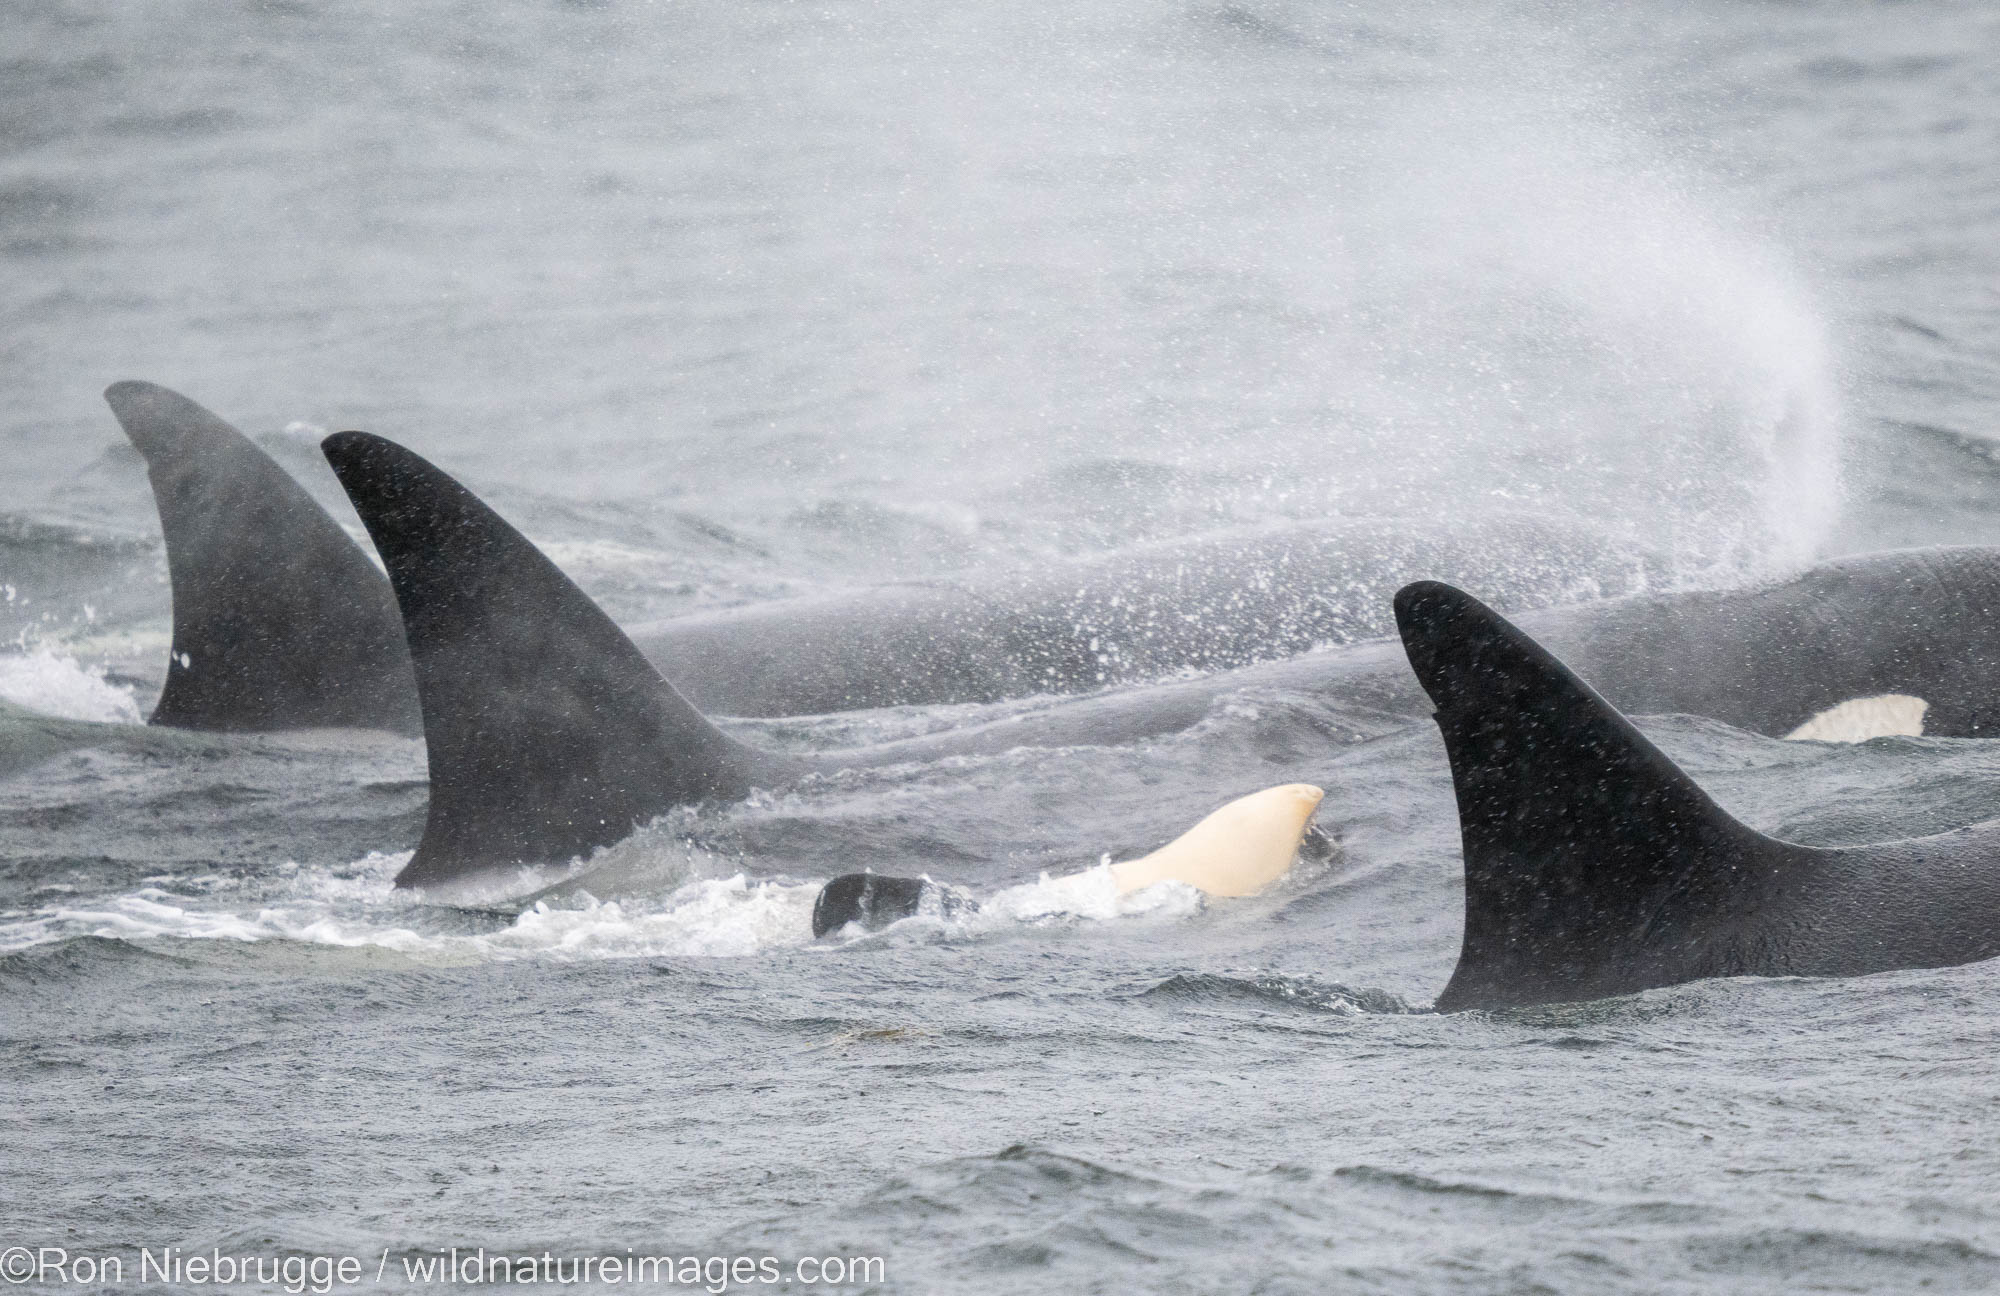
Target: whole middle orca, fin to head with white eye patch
[551,735]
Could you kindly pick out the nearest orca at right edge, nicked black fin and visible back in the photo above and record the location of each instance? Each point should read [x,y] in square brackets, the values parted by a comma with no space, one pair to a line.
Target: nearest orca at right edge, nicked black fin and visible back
[1597,867]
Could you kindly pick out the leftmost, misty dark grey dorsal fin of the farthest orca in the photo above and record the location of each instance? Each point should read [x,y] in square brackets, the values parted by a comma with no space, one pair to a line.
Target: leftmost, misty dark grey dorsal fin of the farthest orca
[279,617]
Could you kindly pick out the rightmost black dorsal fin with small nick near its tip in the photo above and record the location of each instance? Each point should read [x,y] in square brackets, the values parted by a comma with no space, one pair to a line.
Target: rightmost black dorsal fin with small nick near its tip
[1593,863]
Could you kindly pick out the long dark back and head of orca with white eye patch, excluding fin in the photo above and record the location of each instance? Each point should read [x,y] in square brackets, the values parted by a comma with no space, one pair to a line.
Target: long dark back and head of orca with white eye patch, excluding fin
[1767,659]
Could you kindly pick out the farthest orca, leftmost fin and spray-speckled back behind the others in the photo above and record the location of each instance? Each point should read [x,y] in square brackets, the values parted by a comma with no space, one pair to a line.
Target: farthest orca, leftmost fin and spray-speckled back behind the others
[285,619]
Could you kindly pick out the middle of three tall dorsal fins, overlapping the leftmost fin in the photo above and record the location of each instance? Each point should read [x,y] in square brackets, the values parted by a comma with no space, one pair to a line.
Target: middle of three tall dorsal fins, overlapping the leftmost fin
[549,733]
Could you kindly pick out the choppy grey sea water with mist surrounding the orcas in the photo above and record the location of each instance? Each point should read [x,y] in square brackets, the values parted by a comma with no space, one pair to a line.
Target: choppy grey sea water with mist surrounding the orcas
[729,303]
